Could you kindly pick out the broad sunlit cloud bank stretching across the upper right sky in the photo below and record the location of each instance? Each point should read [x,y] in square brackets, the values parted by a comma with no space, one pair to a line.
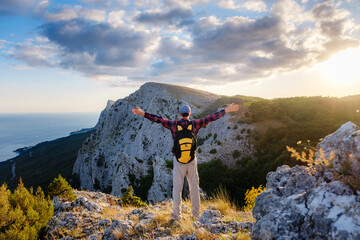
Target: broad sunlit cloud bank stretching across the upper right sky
[288,39]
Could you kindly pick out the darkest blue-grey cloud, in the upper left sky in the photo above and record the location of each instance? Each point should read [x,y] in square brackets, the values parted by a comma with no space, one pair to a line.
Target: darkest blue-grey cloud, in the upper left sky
[109,46]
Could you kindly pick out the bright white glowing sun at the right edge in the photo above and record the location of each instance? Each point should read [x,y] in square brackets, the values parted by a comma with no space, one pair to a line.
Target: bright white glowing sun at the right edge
[344,67]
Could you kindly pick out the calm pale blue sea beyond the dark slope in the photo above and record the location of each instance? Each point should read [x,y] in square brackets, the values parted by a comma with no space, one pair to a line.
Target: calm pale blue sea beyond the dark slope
[28,129]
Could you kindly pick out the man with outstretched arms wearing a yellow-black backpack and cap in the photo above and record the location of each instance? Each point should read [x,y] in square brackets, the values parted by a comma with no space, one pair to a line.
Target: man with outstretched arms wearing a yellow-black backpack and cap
[185,168]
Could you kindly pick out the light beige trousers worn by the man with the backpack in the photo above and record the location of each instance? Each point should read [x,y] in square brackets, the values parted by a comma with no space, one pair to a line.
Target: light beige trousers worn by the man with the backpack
[190,171]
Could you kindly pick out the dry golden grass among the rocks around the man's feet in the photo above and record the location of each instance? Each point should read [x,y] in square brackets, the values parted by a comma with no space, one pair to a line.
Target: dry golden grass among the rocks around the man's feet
[163,220]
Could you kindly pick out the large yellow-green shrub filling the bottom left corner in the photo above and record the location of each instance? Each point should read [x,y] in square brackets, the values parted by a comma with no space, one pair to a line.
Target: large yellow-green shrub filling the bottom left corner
[23,215]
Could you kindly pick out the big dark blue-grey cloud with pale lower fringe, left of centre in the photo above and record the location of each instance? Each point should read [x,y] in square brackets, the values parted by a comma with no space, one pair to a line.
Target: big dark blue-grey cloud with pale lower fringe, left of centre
[97,49]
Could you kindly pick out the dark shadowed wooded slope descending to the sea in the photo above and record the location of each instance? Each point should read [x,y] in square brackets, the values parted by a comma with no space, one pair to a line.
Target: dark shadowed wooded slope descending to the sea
[47,160]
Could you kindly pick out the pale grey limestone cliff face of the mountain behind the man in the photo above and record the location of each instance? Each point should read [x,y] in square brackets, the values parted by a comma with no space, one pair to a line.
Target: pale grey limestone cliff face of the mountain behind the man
[125,148]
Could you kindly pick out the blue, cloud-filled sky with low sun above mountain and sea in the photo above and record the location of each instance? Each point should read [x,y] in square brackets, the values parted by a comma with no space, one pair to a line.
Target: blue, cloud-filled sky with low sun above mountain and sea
[72,56]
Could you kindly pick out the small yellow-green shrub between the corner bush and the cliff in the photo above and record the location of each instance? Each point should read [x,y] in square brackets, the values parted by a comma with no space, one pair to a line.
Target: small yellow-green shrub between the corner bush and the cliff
[60,187]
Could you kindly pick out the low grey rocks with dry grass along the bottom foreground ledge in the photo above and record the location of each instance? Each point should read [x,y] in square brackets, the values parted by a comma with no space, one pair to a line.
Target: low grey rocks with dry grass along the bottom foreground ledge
[95,215]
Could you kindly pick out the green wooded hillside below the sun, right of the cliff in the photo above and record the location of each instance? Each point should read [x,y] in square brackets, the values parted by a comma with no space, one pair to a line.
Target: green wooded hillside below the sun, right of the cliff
[278,123]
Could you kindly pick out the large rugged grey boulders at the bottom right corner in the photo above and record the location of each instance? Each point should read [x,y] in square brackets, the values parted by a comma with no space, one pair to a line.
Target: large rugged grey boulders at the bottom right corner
[313,202]
